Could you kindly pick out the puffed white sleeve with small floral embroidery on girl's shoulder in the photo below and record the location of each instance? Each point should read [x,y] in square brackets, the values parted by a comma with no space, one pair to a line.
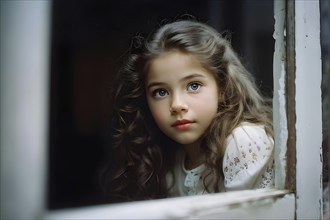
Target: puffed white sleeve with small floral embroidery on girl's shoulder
[249,159]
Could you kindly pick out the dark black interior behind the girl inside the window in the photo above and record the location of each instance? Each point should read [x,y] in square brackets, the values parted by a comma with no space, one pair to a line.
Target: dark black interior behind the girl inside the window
[88,37]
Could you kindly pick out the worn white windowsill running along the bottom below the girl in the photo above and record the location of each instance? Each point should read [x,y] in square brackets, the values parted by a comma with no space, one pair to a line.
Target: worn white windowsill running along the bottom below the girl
[261,203]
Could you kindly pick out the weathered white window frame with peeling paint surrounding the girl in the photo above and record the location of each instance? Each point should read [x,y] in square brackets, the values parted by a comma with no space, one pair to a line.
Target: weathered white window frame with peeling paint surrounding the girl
[24,94]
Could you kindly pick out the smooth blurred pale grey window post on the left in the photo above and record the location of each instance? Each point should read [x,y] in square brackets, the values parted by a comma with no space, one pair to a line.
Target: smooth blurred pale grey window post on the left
[24,35]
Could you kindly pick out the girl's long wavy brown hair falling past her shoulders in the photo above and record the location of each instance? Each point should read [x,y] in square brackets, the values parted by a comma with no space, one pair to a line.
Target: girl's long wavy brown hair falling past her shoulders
[143,155]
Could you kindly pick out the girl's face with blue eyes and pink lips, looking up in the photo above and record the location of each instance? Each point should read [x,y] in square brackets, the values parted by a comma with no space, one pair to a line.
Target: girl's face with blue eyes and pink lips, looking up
[182,96]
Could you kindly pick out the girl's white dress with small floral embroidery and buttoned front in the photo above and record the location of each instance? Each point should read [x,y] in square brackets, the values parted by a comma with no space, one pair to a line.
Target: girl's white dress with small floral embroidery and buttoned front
[248,163]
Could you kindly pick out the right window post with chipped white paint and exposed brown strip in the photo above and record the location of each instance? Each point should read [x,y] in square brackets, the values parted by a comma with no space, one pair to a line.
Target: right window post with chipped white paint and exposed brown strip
[305,176]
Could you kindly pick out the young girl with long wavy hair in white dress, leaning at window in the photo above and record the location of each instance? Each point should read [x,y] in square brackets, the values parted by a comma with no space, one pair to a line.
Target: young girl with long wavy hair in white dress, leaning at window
[188,119]
